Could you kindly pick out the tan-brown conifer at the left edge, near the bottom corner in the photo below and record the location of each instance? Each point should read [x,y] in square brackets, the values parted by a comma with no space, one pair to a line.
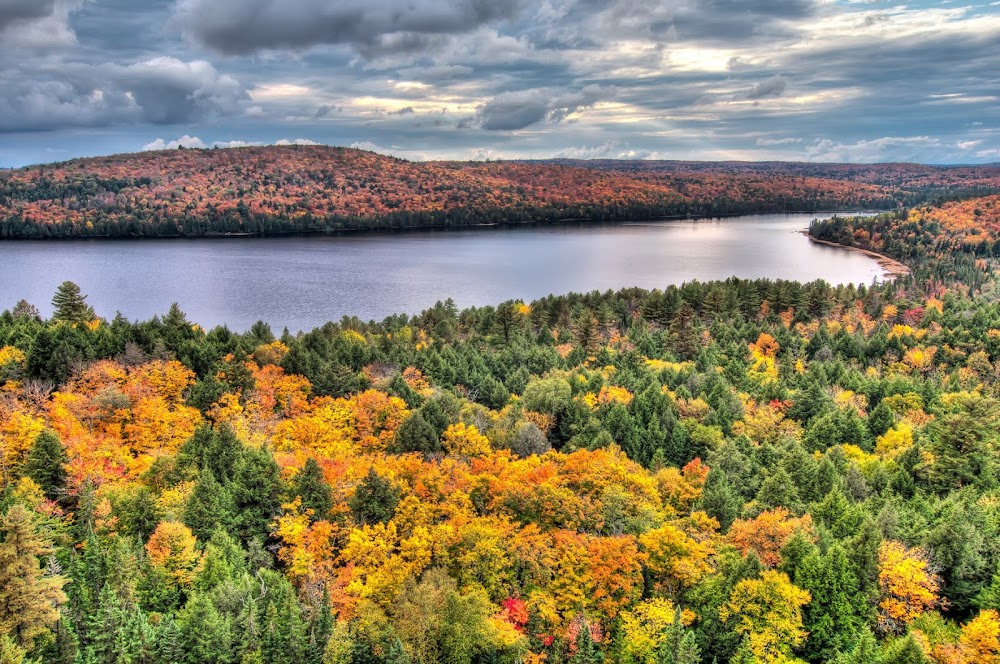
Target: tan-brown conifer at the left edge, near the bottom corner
[29,596]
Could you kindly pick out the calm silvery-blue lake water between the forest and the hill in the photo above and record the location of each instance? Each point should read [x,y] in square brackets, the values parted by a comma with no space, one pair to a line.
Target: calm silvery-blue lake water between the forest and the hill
[302,282]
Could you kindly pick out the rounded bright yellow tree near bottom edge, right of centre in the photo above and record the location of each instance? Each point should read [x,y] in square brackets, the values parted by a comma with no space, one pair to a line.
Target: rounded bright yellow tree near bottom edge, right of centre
[768,613]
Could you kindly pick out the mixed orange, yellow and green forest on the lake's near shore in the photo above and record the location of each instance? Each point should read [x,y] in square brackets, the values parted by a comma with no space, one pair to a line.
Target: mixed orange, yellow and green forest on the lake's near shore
[738,471]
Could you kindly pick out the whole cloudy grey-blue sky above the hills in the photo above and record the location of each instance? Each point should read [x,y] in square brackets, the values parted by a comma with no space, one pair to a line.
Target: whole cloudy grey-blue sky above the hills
[803,80]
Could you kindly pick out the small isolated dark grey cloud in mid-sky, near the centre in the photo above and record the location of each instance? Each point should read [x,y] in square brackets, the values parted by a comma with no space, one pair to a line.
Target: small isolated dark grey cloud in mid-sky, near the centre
[510,111]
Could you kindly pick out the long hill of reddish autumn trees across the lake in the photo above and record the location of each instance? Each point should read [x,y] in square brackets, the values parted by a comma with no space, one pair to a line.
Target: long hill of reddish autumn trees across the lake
[286,189]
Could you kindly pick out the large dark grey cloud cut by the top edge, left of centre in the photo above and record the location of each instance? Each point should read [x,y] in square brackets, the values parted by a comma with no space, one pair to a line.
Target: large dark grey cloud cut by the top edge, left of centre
[242,27]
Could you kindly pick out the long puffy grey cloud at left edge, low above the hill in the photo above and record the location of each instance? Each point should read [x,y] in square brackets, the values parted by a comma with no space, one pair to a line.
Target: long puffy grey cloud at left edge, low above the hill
[160,90]
